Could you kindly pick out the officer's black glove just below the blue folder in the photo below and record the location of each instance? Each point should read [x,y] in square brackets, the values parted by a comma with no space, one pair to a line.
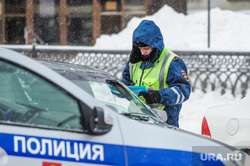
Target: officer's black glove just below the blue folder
[151,97]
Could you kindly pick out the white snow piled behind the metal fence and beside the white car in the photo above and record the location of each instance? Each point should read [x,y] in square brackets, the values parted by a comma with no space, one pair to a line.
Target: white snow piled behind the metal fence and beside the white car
[229,31]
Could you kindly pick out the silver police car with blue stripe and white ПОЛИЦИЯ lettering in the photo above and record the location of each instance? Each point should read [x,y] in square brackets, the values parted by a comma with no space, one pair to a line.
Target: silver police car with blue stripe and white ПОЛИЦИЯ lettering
[46,119]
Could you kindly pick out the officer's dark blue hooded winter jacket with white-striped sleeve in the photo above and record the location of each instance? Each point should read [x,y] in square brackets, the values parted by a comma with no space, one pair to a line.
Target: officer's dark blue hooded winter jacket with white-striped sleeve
[179,86]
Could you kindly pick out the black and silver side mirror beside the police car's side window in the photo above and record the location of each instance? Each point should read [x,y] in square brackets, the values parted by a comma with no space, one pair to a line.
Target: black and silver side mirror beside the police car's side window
[97,123]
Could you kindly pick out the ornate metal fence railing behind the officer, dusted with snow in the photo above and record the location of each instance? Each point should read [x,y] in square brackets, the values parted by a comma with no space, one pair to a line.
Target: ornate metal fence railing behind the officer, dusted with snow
[207,70]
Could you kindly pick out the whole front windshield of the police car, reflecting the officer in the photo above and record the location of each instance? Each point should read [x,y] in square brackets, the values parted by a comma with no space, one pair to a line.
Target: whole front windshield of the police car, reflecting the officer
[109,91]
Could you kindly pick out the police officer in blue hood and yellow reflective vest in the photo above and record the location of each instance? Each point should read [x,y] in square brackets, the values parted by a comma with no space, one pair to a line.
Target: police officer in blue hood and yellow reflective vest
[163,73]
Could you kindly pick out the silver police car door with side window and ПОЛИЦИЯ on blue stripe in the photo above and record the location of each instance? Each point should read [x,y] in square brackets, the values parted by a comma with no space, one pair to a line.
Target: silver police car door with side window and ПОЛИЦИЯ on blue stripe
[42,123]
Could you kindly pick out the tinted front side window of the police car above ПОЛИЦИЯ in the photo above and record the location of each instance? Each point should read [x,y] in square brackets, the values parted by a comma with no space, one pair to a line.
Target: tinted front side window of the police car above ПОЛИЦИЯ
[28,99]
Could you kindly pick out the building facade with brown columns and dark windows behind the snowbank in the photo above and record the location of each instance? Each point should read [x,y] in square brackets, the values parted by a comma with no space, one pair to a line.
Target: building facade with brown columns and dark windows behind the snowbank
[71,22]
